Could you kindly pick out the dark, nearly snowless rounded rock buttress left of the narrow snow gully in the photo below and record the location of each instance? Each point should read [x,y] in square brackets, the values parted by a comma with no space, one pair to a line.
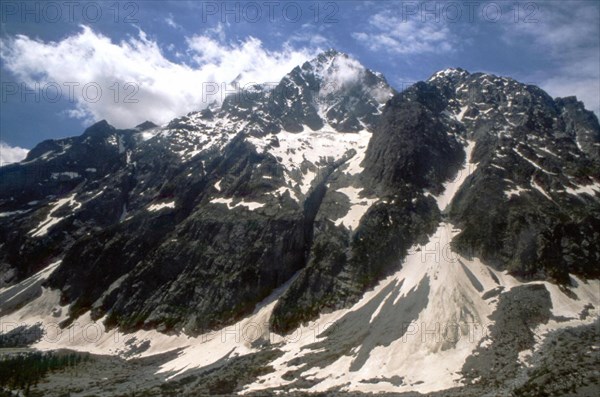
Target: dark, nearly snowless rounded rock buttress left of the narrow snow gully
[415,144]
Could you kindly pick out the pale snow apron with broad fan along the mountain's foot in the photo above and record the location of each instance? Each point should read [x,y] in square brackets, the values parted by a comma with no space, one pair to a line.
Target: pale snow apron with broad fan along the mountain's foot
[413,332]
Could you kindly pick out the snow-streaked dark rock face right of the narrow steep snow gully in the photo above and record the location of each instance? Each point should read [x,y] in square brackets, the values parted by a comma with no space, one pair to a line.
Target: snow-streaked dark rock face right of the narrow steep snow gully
[531,205]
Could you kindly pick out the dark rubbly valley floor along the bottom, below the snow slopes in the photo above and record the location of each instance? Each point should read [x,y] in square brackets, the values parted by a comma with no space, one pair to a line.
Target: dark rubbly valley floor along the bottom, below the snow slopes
[567,365]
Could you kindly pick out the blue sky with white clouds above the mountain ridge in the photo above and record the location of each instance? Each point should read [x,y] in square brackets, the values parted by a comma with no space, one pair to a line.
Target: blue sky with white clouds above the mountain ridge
[66,64]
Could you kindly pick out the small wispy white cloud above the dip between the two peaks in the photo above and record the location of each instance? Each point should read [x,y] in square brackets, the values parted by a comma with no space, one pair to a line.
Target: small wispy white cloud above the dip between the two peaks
[387,32]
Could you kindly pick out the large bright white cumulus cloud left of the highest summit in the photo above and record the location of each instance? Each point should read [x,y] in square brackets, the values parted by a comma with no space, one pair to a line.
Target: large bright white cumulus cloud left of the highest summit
[137,82]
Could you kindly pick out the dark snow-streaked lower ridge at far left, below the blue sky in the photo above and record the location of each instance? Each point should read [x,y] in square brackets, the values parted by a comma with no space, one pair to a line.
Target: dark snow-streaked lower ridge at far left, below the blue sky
[52,171]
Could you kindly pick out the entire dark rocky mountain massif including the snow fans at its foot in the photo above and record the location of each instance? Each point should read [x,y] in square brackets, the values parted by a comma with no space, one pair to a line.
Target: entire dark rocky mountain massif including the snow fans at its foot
[324,234]
